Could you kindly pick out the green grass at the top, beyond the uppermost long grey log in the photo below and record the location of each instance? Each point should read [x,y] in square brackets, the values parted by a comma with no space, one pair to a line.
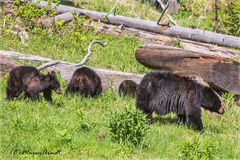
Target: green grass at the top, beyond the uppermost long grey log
[148,11]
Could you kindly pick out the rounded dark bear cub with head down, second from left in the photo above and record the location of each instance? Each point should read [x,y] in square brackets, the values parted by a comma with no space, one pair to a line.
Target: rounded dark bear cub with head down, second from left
[85,82]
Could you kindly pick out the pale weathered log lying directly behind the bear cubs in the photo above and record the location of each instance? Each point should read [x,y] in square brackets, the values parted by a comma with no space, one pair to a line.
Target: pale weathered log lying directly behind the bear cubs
[108,77]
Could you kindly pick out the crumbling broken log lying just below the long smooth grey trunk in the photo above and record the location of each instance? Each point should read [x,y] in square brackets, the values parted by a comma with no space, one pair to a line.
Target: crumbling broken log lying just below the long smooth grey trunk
[150,37]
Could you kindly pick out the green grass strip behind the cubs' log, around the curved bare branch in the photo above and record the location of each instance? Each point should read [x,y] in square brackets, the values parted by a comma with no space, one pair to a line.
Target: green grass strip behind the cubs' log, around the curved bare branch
[72,46]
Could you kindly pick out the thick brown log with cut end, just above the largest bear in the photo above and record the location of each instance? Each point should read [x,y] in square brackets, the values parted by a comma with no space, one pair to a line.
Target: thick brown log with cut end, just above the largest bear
[220,73]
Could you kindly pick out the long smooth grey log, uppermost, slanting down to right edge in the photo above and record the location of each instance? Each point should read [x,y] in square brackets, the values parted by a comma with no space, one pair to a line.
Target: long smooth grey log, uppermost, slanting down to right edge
[176,31]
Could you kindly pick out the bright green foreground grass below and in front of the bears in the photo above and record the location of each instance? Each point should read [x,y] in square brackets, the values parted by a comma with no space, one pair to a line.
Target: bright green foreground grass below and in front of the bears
[72,125]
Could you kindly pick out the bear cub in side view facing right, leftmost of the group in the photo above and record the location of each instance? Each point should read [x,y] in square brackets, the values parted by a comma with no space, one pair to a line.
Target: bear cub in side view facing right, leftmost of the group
[32,82]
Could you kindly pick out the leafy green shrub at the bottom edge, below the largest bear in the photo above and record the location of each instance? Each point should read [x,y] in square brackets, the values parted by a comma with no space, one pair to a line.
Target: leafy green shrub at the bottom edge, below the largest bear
[196,149]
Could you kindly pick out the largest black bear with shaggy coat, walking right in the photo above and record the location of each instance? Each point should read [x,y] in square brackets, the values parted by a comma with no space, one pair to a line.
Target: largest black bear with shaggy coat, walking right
[166,92]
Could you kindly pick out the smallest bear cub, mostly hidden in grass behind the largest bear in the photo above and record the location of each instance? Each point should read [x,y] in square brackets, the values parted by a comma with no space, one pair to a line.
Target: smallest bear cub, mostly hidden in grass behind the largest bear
[128,88]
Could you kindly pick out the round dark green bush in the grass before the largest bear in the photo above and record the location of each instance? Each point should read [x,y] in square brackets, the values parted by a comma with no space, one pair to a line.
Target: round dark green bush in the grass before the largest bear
[128,126]
